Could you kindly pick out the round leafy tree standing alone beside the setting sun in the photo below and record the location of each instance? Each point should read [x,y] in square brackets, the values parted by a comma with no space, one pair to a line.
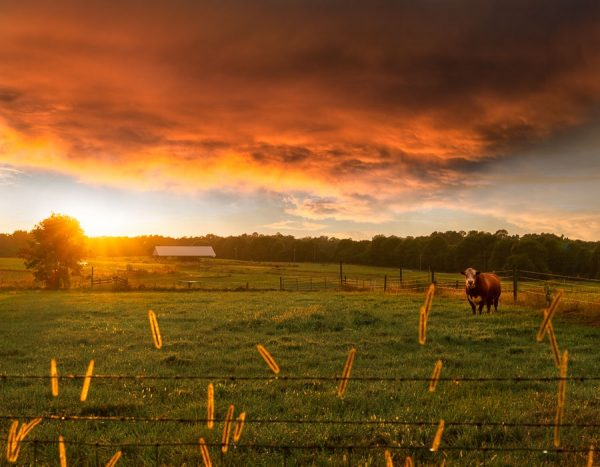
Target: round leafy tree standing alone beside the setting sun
[56,251]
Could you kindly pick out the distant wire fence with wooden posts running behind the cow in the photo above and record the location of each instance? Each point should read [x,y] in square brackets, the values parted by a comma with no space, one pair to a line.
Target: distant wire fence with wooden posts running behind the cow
[516,283]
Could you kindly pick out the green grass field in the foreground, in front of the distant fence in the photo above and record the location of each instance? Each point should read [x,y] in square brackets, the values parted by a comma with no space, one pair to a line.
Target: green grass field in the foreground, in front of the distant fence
[213,335]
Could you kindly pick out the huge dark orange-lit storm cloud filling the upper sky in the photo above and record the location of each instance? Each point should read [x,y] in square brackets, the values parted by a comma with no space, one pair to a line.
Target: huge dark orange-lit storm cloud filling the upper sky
[356,110]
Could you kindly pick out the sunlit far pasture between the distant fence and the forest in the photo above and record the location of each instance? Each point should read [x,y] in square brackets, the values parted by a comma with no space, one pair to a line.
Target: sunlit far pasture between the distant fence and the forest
[220,274]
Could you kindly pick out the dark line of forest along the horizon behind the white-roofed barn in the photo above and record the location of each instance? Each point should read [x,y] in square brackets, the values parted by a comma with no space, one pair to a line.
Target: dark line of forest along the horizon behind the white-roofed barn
[441,251]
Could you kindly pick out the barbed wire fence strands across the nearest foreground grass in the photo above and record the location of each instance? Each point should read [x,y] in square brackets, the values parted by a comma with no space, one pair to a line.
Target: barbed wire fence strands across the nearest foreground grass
[286,450]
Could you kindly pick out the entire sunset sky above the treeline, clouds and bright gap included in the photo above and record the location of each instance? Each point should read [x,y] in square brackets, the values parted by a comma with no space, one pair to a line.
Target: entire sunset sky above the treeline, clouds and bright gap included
[308,118]
